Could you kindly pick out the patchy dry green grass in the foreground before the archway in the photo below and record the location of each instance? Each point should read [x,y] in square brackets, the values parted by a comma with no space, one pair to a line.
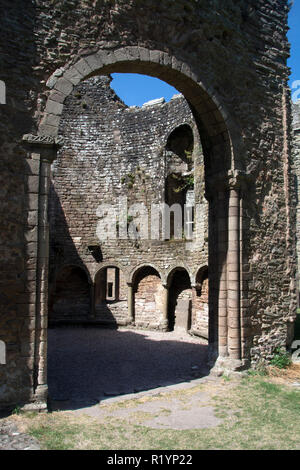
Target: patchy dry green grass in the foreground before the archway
[255,413]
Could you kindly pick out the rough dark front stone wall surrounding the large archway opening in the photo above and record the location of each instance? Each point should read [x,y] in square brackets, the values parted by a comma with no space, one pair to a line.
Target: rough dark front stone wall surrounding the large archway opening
[228,59]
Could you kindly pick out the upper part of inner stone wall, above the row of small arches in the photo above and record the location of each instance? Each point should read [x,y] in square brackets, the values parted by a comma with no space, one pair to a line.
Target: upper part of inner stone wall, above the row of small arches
[112,151]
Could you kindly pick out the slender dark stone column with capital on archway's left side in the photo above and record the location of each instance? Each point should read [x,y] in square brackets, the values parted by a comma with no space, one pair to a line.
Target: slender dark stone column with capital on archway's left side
[42,151]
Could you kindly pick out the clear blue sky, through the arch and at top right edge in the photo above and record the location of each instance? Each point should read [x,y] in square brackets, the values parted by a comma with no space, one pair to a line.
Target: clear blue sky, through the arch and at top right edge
[135,89]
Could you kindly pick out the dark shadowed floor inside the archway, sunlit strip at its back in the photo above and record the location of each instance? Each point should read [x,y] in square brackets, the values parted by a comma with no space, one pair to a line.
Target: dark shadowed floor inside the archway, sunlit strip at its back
[89,365]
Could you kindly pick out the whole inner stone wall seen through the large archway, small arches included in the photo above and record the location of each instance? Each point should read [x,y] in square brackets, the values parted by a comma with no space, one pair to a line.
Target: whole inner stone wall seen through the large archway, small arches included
[149,156]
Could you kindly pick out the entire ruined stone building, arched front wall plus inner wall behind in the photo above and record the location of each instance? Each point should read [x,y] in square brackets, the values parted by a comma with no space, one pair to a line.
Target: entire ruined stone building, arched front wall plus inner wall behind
[225,149]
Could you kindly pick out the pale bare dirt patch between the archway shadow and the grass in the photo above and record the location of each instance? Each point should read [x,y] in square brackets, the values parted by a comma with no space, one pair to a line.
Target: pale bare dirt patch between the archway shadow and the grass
[177,407]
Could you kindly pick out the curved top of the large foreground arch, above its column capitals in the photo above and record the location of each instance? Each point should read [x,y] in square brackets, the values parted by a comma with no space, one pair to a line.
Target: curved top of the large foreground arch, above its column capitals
[217,128]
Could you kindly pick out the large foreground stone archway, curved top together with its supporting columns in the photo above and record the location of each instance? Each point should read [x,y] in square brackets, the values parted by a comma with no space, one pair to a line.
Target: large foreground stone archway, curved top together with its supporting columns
[224,181]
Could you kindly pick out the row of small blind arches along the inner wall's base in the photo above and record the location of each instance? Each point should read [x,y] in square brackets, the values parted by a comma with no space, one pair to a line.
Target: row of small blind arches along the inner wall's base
[145,302]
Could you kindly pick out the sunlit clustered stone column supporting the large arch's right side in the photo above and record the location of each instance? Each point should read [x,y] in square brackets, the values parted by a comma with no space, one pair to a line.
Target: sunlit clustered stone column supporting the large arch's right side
[225,196]
